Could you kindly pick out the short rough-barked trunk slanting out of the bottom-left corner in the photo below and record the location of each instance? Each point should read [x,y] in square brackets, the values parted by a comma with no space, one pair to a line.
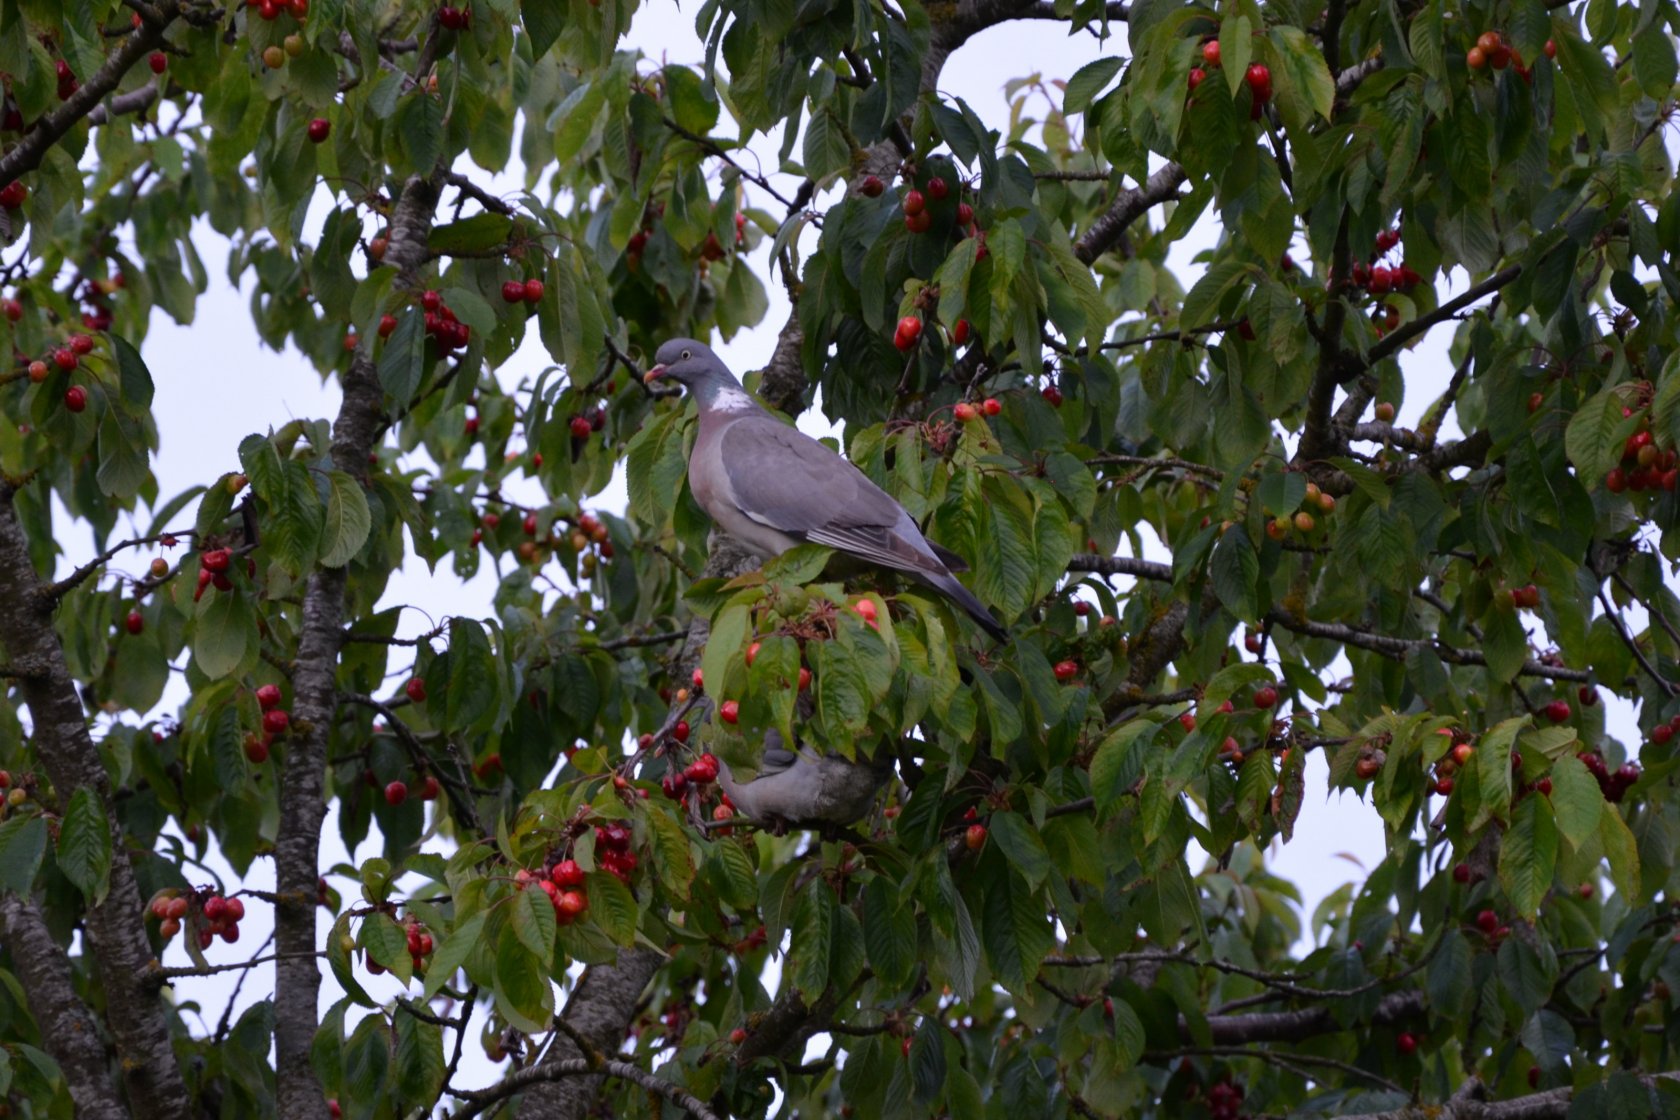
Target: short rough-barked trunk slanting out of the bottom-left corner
[68,1030]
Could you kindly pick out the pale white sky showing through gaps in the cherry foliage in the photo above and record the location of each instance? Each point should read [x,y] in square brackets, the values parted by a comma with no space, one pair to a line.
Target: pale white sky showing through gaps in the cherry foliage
[218,384]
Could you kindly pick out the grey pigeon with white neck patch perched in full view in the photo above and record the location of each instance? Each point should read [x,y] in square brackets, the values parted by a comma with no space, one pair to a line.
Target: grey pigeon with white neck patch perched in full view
[774,488]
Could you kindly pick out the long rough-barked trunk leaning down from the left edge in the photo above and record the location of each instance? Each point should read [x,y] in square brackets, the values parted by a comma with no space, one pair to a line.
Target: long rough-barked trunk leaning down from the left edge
[117,936]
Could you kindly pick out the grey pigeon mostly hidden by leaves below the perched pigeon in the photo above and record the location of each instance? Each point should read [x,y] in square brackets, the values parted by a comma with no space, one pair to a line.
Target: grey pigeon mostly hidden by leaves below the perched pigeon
[804,788]
